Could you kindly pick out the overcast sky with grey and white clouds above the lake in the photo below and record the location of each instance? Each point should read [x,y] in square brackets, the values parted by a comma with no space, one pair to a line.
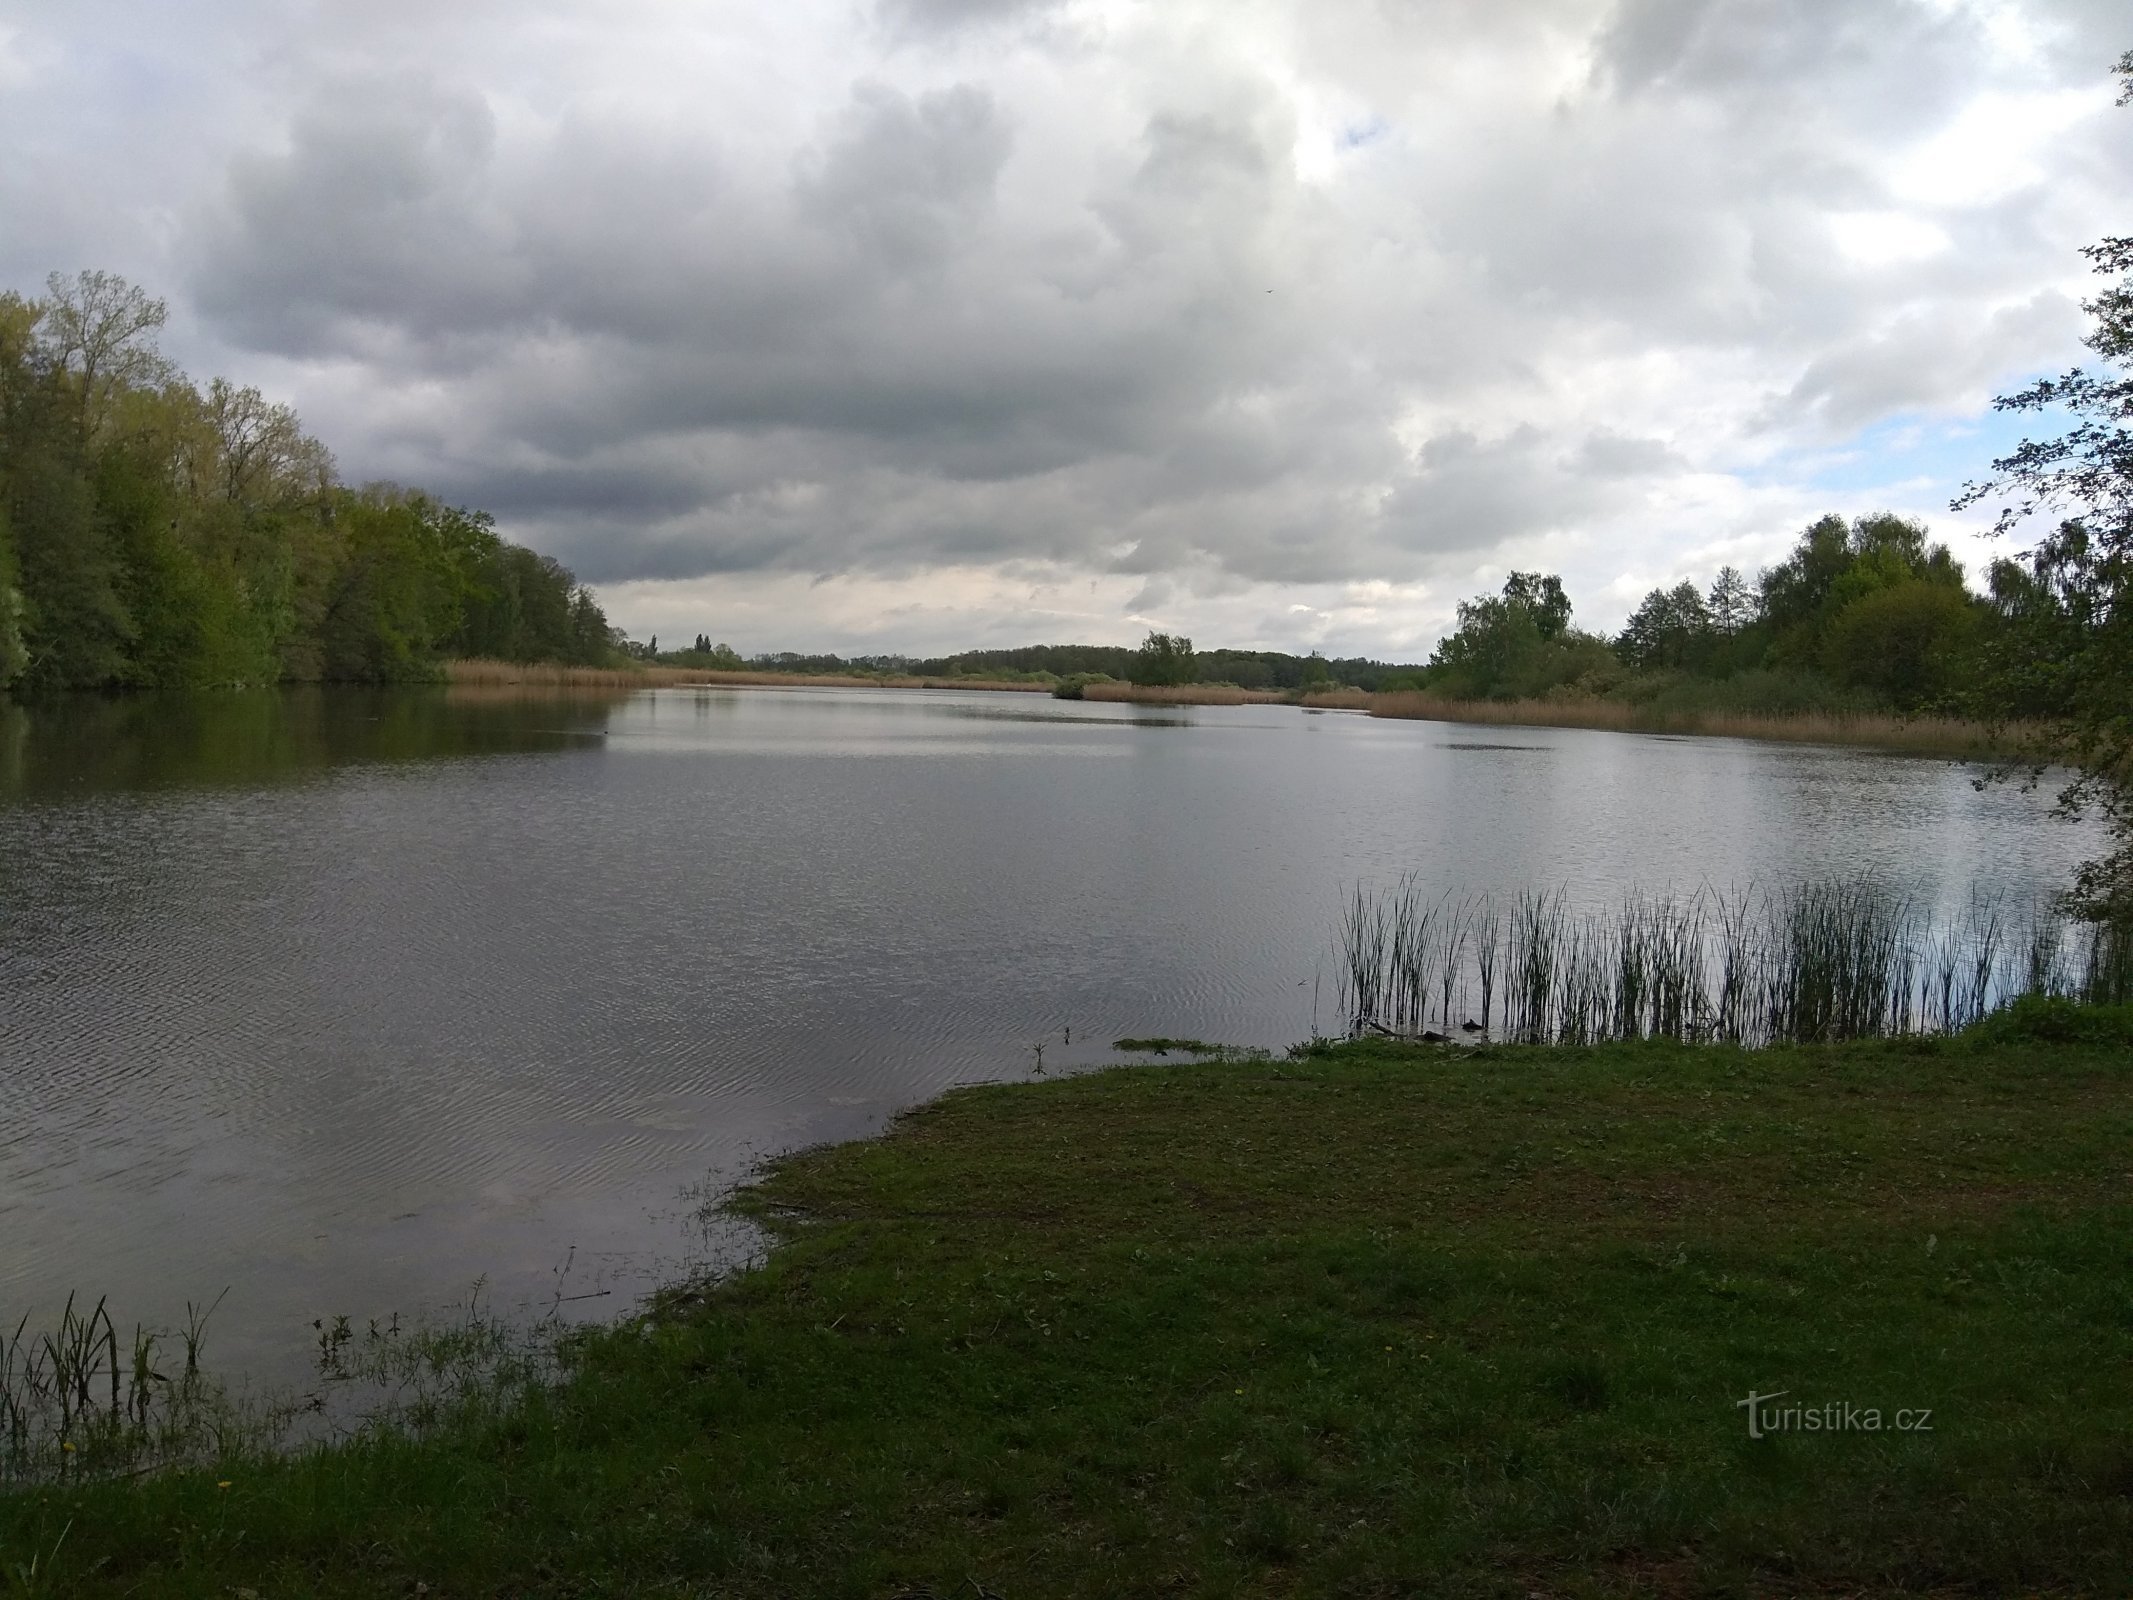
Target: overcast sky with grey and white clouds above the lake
[910,325]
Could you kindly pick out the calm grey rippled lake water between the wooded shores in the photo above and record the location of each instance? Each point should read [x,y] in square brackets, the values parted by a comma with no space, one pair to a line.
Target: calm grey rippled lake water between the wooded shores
[347,1002]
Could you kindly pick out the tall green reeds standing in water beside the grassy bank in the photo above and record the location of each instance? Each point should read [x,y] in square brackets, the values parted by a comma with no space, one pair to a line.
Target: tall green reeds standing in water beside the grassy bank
[1812,963]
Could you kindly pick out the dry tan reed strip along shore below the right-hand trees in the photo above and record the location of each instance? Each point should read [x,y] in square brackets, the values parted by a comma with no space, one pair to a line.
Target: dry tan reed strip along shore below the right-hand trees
[1917,735]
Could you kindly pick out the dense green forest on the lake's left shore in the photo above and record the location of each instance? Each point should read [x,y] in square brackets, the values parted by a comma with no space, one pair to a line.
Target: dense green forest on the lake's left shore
[165,537]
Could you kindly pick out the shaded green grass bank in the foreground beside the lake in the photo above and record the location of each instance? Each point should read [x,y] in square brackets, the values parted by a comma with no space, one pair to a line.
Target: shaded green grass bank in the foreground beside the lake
[1370,1322]
